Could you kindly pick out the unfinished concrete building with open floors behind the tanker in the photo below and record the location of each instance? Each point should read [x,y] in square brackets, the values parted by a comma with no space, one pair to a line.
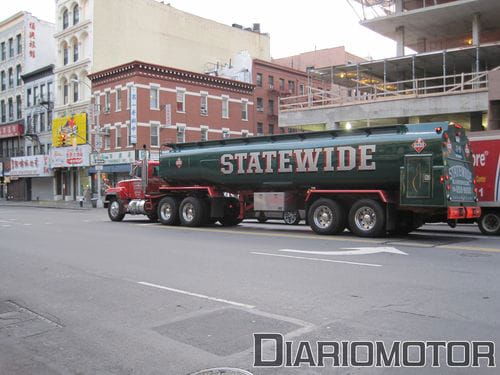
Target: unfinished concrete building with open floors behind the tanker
[447,67]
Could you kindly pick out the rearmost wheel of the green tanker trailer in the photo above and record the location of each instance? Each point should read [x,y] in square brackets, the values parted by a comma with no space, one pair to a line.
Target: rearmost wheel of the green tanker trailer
[367,218]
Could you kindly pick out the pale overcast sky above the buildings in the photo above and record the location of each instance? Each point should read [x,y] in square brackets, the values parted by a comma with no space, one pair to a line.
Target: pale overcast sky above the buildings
[294,26]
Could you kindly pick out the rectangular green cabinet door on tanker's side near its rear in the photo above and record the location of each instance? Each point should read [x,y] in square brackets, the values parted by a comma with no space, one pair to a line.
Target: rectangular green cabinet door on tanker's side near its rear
[416,179]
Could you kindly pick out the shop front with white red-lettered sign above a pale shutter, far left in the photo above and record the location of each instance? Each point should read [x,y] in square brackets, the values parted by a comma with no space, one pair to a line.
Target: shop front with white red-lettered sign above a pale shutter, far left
[33,178]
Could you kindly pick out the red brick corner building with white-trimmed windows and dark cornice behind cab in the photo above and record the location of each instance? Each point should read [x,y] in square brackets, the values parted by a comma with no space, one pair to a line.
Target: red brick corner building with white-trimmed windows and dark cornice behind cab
[173,106]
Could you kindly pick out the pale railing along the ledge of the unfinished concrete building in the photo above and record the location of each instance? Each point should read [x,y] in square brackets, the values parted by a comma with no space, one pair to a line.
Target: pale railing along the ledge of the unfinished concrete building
[372,90]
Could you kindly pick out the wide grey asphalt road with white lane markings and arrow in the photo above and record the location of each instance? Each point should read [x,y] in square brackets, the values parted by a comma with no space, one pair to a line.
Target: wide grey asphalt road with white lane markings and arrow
[82,295]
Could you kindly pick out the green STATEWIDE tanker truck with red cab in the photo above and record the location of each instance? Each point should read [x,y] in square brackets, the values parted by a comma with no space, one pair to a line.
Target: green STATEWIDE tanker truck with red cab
[372,181]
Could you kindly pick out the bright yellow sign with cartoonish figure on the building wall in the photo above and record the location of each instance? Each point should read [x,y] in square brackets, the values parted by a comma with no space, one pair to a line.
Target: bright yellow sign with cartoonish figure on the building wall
[69,131]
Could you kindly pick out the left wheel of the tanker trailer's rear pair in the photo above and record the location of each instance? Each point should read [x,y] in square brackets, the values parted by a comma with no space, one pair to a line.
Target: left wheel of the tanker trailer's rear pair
[325,216]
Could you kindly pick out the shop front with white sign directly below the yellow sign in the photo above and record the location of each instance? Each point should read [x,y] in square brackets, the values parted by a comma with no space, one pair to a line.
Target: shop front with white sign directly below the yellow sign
[70,166]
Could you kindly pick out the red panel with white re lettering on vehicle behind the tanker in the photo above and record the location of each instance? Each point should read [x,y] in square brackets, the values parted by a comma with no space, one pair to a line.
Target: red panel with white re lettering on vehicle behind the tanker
[486,154]
